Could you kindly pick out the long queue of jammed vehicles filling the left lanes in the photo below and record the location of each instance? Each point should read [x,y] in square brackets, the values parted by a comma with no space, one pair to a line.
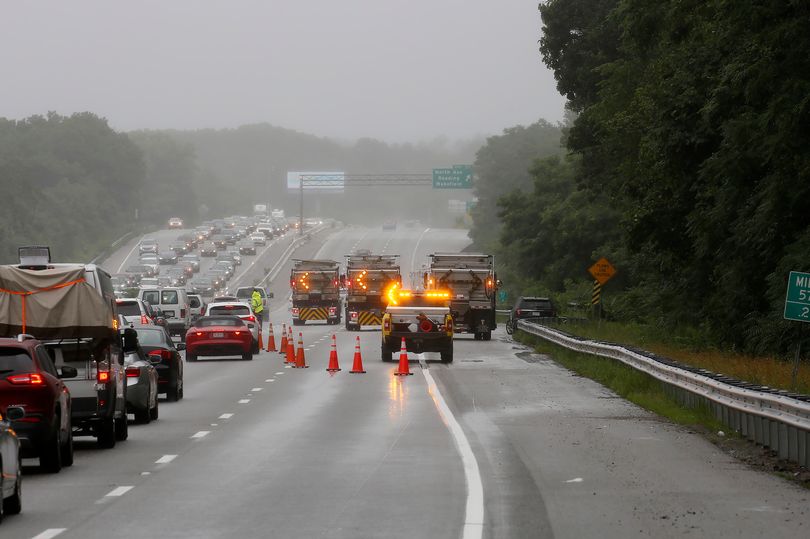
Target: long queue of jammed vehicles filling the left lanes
[67,372]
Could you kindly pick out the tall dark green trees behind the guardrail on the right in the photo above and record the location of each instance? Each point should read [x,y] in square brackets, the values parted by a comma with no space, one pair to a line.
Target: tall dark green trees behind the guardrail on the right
[686,164]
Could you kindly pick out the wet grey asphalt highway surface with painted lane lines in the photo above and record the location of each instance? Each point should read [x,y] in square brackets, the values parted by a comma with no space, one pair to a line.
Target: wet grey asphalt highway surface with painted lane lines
[501,443]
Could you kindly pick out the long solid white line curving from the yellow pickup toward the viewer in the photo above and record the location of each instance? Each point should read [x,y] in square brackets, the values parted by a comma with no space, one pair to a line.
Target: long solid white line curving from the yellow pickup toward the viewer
[474,516]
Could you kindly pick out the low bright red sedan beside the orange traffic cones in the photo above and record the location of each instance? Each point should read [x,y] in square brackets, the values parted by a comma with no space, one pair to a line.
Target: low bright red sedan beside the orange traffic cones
[221,335]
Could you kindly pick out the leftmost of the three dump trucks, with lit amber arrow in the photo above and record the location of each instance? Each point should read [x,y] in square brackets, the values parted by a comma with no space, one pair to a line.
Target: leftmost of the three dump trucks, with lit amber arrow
[315,291]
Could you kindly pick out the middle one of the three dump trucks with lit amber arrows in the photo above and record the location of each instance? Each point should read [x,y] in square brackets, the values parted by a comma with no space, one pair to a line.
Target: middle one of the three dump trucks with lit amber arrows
[367,280]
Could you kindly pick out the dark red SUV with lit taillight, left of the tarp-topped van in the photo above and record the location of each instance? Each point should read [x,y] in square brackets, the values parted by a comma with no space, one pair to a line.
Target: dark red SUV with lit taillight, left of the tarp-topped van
[29,379]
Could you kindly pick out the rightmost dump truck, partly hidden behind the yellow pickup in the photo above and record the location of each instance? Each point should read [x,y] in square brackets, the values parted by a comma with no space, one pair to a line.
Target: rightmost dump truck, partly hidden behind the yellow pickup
[473,286]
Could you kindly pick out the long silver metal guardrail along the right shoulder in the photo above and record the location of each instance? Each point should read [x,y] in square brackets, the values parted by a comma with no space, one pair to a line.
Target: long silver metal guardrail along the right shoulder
[775,419]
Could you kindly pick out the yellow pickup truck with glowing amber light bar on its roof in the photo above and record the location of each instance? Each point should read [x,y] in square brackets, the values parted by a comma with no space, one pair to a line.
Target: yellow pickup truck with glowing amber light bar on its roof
[422,318]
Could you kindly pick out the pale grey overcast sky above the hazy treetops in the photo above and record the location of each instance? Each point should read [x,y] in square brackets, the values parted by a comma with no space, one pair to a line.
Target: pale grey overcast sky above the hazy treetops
[398,70]
